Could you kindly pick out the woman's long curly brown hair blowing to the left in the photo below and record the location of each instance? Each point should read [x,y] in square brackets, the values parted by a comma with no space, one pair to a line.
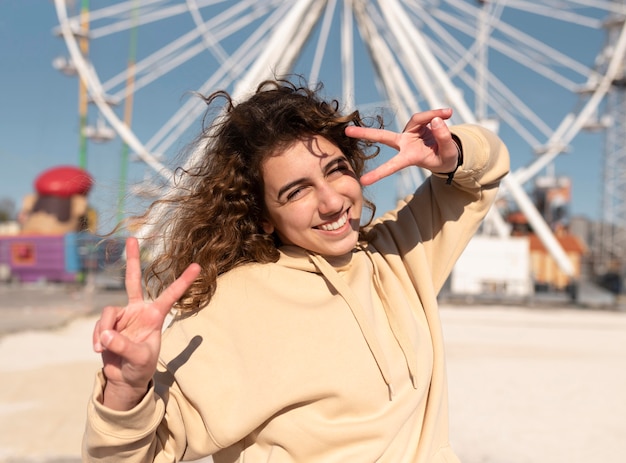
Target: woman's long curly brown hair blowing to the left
[214,218]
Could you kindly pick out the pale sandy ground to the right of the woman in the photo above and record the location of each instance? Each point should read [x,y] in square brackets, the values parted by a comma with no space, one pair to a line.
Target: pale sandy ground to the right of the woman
[533,385]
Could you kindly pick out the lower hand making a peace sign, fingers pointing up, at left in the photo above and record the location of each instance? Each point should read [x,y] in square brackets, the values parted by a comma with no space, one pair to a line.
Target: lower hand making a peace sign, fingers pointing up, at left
[129,338]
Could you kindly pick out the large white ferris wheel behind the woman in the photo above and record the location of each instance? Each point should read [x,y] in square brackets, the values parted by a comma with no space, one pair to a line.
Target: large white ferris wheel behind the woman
[526,68]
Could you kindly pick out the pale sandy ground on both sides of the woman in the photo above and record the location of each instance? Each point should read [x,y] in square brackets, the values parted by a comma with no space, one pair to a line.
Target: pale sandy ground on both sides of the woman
[527,385]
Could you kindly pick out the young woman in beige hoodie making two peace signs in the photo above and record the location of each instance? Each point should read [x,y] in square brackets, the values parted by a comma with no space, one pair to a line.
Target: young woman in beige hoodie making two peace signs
[301,332]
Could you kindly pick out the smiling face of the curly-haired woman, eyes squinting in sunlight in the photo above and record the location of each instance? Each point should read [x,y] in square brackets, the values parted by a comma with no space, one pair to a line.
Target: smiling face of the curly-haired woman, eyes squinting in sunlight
[312,197]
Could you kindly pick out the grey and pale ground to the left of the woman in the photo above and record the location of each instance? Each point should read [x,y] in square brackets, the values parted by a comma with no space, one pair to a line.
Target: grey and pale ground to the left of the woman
[37,348]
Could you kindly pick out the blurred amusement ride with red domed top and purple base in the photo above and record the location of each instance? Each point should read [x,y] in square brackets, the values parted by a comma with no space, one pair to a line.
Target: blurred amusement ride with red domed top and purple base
[55,241]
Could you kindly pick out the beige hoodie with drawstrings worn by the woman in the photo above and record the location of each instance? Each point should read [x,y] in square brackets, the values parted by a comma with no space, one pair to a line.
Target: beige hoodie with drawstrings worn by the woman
[313,359]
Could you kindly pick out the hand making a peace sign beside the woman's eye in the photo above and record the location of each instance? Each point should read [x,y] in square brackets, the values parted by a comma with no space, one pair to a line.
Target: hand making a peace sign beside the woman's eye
[425,142]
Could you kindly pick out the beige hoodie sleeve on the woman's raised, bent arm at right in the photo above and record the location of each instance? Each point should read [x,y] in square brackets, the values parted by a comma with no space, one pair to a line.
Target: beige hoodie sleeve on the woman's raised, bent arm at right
[432,227]
